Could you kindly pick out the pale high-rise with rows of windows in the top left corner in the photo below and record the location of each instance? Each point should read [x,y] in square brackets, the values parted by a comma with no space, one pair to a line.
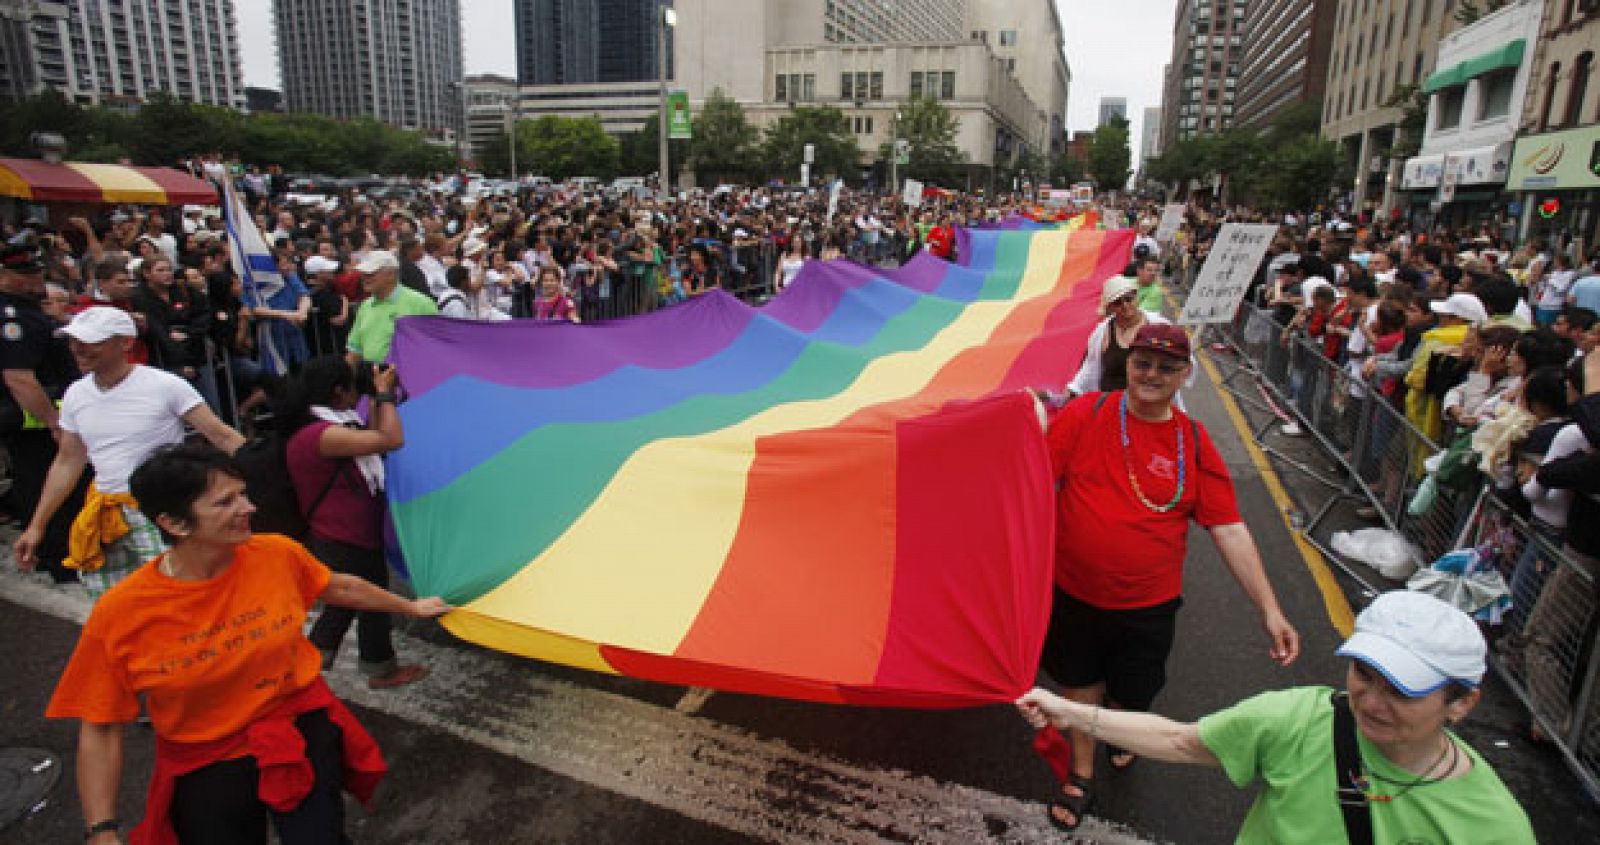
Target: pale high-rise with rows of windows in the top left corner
[122,54]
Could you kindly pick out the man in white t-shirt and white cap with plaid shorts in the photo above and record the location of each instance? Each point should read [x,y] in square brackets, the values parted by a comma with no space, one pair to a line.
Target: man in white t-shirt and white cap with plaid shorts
[113,420]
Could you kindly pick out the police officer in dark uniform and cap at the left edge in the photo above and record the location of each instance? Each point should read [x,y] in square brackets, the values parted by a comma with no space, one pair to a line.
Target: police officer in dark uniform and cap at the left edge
[38,369]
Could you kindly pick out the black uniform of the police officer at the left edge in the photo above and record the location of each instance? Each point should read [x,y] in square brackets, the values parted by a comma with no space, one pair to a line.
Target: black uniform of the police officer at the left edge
[28,342]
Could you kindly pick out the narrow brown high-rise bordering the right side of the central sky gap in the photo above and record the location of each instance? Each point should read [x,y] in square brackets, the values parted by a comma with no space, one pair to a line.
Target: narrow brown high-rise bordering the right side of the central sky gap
[1202,78]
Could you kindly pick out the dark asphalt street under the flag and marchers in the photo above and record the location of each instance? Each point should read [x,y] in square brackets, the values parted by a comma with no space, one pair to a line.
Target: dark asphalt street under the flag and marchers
[502,750]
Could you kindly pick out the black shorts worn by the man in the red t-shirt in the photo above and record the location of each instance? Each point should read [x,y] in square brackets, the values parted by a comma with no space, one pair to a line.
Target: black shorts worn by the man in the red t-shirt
[1124,649]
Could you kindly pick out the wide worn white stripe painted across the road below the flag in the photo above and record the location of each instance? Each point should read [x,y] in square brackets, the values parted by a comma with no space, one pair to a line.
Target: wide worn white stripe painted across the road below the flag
[714,774]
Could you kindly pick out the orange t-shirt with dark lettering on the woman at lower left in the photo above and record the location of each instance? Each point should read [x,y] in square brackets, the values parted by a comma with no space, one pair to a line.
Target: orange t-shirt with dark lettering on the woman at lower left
[210,657]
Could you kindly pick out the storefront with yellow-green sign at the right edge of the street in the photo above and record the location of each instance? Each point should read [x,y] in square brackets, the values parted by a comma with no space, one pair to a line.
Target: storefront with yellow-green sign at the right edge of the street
[1559,182]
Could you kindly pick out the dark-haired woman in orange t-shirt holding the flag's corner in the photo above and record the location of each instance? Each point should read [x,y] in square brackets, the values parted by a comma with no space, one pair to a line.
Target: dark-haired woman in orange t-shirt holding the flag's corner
[212,636]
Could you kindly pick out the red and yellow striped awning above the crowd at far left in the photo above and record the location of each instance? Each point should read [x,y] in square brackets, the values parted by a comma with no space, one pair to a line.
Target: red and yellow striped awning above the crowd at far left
[76,182]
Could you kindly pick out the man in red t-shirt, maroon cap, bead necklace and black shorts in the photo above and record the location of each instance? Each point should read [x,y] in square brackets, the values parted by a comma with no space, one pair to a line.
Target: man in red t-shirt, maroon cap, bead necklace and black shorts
[1134,473]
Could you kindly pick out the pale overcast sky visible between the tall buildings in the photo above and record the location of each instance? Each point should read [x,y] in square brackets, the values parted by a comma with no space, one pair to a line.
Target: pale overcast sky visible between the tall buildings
[1114,49]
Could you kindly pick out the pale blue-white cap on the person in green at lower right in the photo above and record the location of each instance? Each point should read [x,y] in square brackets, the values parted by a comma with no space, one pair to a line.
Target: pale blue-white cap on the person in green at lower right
[1418,643]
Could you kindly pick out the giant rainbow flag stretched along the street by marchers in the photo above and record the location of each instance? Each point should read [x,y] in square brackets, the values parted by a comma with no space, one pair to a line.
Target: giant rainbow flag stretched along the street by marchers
[839,497]
